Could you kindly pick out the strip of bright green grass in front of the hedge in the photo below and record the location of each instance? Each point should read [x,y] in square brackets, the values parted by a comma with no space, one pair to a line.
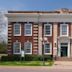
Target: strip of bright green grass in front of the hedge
[26,63]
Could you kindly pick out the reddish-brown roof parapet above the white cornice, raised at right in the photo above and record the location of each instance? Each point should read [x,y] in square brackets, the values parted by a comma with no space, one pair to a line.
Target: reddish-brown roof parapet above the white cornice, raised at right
[63,10]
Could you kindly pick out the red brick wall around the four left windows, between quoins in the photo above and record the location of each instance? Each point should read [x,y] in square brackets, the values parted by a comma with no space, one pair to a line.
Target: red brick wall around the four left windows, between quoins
[22,38]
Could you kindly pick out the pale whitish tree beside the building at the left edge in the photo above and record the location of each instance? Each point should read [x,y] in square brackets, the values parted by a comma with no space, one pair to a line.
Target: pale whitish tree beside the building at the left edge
[3,27]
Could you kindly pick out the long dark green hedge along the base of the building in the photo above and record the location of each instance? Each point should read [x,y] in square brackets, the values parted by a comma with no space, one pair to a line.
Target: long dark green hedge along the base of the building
[26,58]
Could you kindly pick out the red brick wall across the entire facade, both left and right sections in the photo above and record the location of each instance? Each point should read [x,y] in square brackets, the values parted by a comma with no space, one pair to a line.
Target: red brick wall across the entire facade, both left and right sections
[23,38]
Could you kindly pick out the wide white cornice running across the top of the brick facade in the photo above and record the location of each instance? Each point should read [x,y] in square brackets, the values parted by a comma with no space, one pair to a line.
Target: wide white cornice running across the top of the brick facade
[38,17]
